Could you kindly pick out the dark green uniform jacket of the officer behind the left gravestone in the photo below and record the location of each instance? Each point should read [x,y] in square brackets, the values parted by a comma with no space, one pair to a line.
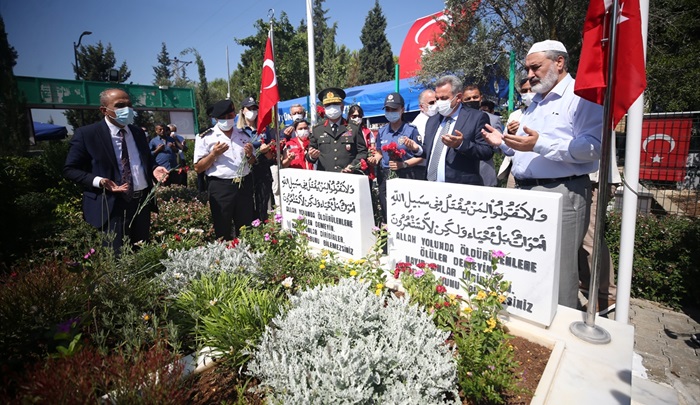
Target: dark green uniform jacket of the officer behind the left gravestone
[338,151]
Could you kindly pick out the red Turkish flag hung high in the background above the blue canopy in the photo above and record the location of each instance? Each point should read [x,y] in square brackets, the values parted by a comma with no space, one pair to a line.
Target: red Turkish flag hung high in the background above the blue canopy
[421,38]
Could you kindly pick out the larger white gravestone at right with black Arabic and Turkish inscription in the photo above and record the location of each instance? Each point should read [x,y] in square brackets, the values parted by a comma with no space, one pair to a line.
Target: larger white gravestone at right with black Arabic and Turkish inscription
[446,223]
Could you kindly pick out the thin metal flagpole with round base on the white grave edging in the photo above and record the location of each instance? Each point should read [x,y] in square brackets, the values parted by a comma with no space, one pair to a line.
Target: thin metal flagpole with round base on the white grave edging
[588,330]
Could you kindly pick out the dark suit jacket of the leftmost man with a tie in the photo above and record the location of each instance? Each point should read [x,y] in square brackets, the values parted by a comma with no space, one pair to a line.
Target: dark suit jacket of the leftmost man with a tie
[91,154]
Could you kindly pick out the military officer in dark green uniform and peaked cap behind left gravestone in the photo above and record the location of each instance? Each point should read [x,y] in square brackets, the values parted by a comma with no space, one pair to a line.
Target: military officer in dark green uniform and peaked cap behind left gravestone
[336,145]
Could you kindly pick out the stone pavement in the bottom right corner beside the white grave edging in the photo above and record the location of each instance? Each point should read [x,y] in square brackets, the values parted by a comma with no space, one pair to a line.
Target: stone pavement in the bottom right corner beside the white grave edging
[669,372]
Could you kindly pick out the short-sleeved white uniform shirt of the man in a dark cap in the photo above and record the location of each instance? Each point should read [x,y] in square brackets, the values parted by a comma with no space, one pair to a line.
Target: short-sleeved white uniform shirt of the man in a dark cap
[226,166]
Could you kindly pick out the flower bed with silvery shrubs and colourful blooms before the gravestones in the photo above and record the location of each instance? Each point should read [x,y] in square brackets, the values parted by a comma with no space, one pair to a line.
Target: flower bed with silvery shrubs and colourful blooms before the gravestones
[258,300]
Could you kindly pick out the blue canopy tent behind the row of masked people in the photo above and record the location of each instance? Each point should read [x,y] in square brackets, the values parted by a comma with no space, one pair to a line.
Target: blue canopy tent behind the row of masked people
[370,97]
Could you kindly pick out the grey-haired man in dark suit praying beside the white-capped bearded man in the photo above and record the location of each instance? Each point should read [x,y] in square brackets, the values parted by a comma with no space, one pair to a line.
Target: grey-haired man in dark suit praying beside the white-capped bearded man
[453,142]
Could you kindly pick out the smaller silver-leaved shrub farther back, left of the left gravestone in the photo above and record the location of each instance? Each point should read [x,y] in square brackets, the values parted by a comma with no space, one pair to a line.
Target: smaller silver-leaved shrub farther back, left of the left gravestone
[183,266]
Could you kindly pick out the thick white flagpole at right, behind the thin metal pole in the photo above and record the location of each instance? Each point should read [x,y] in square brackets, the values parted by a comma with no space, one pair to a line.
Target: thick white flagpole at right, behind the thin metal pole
[629,201]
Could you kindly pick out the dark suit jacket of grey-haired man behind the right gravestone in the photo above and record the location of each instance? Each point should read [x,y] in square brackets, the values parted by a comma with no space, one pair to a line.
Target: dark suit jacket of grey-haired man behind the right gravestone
[461,164]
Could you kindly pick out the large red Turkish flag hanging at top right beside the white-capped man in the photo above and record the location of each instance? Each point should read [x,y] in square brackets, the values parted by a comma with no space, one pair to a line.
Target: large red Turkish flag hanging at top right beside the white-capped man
[629,79]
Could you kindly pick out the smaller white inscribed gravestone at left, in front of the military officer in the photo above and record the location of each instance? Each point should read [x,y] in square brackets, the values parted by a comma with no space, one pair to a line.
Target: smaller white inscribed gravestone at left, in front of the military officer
[337,209]
